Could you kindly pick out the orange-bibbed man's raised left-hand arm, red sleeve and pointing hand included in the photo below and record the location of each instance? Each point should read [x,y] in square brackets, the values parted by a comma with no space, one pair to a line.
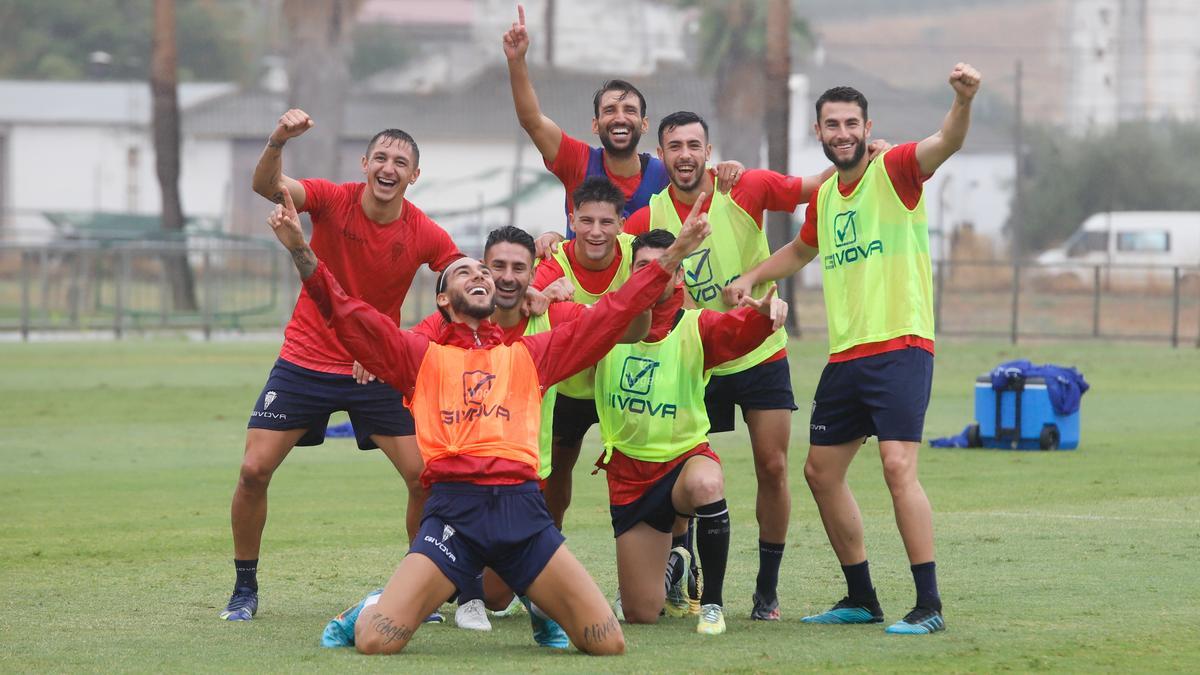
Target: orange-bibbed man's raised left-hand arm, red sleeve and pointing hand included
[368,334]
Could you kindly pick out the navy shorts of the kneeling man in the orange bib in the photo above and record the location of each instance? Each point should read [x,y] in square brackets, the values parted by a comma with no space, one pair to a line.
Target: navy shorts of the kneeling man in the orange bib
[466,528]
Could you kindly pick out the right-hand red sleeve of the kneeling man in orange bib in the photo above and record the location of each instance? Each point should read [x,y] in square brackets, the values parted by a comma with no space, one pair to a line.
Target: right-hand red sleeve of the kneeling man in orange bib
[575,345]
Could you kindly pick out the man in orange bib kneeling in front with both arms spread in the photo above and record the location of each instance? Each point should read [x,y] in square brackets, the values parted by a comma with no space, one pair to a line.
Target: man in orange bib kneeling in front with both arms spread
[478,408]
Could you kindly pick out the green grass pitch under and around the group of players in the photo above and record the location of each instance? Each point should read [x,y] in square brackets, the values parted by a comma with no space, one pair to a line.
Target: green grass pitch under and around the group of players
[118,462]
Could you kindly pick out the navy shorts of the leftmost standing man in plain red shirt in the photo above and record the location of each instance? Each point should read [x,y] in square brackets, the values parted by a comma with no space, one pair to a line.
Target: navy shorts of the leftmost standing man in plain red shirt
[298,398]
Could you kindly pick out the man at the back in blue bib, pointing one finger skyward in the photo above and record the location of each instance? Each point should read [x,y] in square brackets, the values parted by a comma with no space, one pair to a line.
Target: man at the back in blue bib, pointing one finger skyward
[619,121]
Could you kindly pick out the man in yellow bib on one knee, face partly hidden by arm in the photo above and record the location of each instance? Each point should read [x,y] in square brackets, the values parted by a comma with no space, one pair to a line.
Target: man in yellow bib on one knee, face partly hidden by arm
[651,403]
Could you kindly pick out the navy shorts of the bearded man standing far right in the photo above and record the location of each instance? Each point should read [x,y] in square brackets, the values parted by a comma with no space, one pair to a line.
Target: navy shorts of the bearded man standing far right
[884,396]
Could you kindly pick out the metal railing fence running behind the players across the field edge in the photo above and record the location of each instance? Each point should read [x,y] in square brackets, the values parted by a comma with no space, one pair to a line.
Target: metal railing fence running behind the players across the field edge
[249,286]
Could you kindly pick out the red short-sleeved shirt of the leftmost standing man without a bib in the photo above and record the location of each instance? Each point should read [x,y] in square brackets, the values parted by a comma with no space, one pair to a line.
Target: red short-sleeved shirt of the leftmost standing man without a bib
[375,262]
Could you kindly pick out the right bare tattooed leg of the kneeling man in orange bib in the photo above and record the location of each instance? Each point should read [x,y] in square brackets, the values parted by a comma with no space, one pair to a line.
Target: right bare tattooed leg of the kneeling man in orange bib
[567,594]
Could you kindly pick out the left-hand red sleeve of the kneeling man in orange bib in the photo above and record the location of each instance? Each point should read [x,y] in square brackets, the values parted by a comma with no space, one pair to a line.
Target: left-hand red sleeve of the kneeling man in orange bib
[389,353]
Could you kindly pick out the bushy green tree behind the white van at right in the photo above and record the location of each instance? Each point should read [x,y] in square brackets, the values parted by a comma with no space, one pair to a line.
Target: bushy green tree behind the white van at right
[1137,166]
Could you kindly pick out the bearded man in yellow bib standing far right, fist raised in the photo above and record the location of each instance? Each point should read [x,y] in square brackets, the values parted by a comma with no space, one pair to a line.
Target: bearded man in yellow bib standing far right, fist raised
[868,225]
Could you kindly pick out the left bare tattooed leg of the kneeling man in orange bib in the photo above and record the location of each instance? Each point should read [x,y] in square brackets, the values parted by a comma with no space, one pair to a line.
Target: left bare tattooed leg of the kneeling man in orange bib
[415,592]
